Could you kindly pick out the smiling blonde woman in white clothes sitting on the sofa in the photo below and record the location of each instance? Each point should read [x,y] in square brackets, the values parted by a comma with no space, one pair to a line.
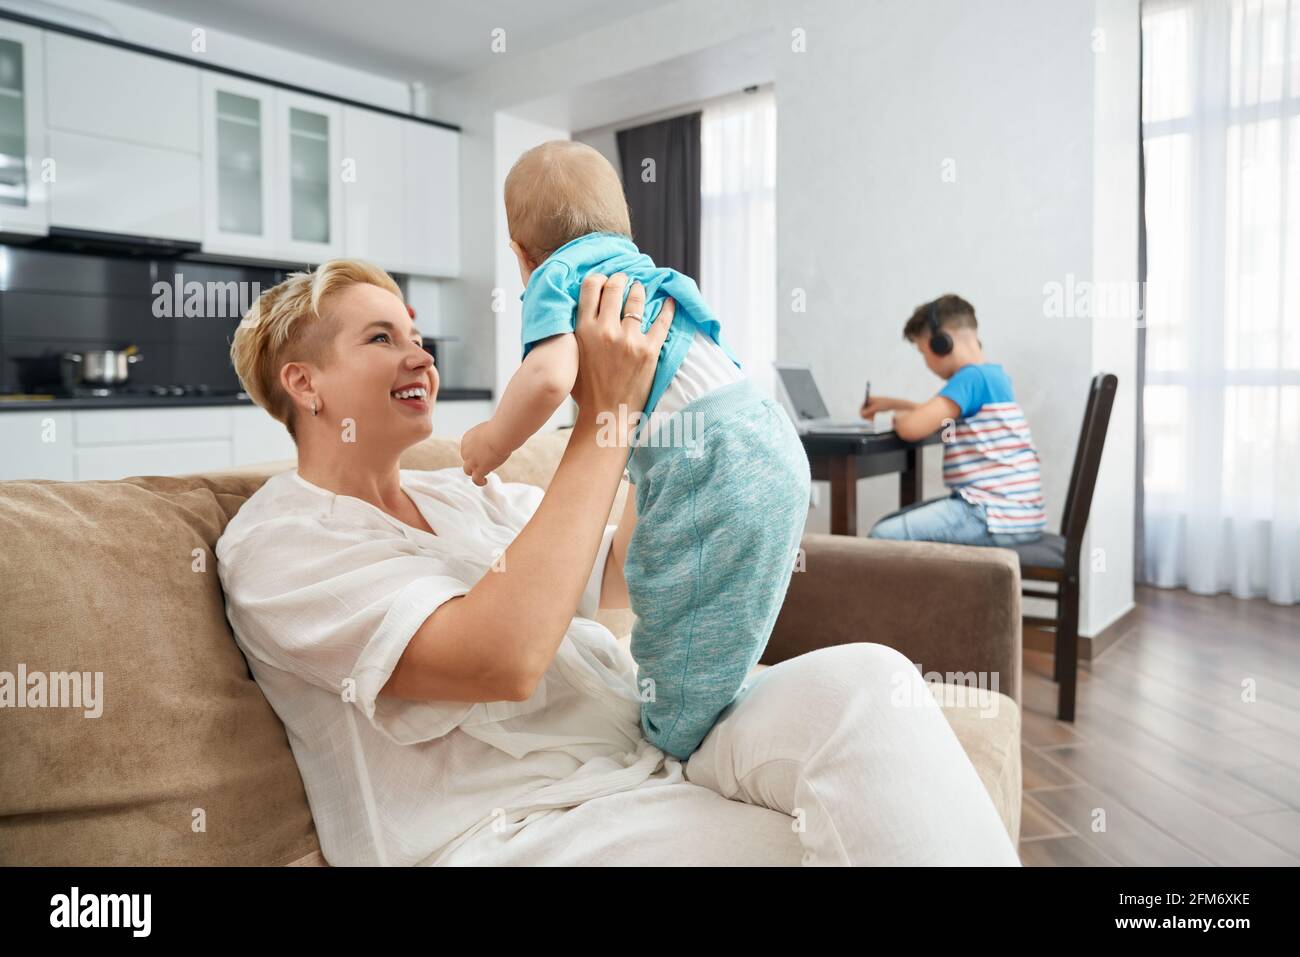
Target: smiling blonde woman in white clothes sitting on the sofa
[430,646]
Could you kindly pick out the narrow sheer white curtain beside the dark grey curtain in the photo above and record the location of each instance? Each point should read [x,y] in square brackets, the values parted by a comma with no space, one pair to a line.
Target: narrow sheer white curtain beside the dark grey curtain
[738,227]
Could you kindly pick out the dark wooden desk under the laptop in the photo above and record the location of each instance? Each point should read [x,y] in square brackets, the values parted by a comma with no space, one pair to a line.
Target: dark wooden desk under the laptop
[843,458]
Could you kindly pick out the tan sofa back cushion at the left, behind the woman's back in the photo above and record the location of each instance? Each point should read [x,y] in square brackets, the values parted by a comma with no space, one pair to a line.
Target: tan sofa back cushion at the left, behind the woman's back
[187,763]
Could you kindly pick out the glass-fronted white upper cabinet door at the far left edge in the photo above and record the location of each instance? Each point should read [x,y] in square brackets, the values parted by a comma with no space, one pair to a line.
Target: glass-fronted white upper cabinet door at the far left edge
[23,131]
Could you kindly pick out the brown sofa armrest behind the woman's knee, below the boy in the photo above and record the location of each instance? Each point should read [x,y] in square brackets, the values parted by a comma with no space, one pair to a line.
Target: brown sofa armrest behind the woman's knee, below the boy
[948,608]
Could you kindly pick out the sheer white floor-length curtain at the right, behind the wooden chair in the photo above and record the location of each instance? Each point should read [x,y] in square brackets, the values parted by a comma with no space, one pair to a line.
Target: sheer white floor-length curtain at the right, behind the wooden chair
[1221,131]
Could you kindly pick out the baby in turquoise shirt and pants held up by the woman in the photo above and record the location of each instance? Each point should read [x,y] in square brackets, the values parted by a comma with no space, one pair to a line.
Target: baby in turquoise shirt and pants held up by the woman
[721,479]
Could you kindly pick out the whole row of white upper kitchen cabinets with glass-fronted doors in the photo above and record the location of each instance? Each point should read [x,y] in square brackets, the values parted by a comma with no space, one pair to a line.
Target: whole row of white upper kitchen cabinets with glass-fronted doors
[270,163]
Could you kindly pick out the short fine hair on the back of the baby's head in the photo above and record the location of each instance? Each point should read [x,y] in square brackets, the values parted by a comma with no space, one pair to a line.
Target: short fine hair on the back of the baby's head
[561,190]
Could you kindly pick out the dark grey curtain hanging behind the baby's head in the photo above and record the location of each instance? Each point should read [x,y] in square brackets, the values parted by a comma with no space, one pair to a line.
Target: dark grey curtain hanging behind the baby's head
[665,194]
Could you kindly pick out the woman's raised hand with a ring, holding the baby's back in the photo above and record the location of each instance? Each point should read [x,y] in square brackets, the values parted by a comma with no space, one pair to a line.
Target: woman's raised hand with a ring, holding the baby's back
[617,361]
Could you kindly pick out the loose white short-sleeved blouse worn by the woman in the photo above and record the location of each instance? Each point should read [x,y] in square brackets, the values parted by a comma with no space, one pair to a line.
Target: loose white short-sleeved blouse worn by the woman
[326,591]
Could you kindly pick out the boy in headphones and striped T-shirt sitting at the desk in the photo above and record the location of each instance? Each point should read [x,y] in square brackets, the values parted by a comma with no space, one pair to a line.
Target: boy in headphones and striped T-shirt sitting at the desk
[990,461]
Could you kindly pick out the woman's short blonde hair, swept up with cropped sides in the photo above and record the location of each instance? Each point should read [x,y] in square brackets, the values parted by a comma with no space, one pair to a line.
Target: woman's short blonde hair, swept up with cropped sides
[288,324]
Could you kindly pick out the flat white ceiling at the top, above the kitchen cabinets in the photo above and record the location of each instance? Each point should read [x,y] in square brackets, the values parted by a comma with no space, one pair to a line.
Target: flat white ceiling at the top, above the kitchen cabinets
[405,40]
